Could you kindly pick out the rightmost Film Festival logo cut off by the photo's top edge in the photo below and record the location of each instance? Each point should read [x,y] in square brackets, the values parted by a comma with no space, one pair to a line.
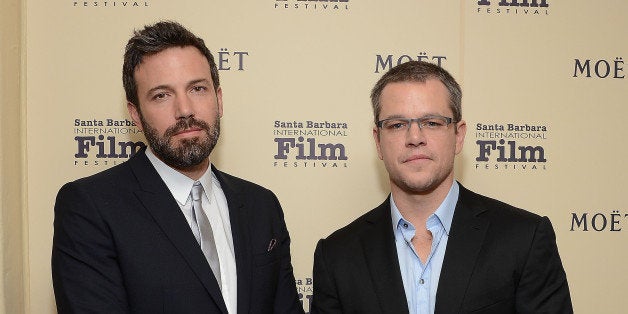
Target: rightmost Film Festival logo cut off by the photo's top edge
[513,7]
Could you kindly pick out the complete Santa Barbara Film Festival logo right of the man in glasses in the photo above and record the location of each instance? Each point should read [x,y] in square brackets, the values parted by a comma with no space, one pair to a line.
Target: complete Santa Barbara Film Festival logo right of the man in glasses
[509,146]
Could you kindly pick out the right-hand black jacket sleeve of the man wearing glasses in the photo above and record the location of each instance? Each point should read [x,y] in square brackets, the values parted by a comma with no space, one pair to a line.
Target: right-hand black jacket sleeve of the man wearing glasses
[543,285]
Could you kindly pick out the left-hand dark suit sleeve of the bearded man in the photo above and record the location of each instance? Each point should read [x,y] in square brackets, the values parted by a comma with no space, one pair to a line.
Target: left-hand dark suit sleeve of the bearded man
[85,273]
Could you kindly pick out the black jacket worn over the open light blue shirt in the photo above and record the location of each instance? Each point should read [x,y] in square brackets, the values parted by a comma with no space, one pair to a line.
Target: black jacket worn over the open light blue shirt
[499,259]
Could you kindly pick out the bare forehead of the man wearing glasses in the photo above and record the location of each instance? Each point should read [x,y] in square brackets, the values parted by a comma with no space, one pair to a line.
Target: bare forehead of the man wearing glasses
[415,98]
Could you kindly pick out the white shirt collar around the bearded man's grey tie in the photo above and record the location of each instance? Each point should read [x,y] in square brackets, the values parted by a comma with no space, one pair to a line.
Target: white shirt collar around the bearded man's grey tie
[179,184]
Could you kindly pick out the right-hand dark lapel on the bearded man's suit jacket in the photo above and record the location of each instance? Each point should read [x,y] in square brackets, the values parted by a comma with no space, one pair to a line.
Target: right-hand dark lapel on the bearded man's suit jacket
[241,237]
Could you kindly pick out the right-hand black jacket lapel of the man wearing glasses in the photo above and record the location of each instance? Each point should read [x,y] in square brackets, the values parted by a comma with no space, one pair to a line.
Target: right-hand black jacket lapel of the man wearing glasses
[465,241]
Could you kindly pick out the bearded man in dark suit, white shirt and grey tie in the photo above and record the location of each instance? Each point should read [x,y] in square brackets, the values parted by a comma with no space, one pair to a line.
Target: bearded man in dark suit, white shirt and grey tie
[166,232]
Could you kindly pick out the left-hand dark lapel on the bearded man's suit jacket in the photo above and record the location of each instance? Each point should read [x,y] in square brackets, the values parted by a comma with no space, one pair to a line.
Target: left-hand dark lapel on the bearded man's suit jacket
[158,201]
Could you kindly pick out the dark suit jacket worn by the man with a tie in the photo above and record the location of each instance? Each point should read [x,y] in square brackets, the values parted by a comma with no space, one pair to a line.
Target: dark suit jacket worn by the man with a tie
[122,245]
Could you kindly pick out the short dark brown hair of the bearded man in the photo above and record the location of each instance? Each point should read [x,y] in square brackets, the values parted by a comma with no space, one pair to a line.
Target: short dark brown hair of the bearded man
[154,39]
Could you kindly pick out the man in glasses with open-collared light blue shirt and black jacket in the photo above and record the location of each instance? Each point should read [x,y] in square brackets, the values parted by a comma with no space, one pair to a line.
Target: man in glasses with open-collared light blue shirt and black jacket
[433,246]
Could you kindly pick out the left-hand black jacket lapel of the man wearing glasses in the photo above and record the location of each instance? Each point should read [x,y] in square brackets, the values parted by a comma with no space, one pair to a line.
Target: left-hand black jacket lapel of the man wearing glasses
[381,258]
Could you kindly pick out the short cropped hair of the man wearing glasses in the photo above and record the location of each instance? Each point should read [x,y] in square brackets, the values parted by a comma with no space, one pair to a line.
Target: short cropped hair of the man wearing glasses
[418,71]
